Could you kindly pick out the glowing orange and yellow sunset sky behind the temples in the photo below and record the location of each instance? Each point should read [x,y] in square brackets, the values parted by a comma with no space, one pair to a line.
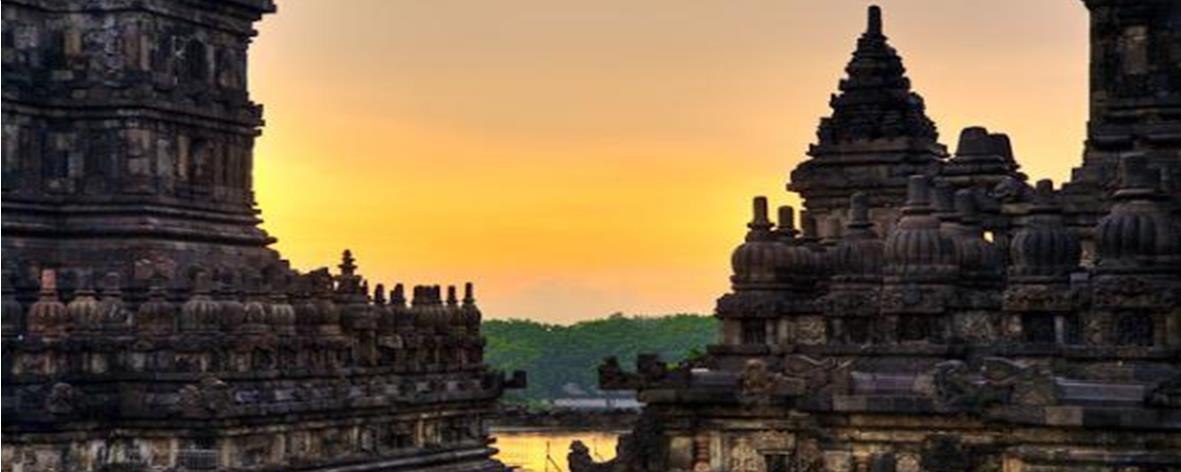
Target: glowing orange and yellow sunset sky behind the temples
[582,159]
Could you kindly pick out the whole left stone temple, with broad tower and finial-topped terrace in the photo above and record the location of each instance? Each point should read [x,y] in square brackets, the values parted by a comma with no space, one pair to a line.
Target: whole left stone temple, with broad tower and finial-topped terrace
[147,324]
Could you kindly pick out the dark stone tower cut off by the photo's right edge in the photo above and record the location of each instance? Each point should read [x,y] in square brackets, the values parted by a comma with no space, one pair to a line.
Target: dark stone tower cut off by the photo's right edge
[1136,101]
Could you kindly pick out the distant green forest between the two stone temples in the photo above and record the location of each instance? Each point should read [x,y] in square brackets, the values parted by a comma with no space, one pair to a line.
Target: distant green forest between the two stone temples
[562,360]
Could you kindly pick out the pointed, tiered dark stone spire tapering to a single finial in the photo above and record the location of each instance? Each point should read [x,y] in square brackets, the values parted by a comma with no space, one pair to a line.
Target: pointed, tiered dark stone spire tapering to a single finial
[878,135]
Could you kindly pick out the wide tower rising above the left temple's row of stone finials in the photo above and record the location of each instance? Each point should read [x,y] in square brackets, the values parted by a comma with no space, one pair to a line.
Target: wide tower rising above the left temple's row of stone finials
[129,135]
